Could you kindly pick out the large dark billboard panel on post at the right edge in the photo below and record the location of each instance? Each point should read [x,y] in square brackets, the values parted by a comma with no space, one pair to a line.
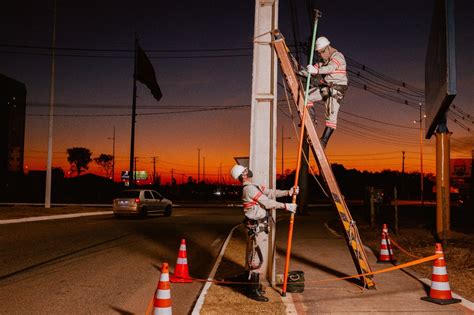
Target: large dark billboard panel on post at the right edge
[440,65]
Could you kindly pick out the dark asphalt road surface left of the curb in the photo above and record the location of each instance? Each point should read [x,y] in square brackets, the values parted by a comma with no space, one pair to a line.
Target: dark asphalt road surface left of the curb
[101,265]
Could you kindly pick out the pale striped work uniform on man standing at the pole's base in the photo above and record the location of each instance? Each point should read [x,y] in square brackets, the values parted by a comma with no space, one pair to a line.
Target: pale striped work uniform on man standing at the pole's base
[257,200]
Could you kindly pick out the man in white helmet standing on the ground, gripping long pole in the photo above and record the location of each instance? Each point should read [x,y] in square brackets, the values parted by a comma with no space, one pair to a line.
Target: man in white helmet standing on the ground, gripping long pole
[257,201]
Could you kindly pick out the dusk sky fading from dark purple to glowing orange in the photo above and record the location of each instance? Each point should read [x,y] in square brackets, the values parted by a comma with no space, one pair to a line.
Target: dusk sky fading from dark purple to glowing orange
[204,65]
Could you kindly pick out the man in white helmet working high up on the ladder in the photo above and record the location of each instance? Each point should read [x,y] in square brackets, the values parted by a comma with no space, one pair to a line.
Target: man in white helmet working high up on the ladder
[332,67]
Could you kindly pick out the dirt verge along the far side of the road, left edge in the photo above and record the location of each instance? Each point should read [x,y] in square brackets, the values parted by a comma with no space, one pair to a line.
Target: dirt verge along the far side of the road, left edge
[19,212]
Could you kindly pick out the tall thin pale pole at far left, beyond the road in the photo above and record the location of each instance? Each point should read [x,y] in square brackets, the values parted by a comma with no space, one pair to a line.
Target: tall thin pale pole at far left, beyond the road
[49,163]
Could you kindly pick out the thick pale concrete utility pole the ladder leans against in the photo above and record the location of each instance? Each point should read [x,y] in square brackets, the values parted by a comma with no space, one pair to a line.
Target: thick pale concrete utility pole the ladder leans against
[263,121]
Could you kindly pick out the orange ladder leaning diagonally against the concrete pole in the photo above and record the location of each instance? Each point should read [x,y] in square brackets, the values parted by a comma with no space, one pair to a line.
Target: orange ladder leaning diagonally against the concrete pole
[351,233]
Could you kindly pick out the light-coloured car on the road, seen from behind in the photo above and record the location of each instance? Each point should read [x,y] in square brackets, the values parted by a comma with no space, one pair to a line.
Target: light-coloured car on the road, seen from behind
[141,202]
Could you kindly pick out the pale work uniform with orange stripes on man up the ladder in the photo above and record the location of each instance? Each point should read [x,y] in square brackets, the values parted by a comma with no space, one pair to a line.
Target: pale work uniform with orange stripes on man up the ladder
[334,72]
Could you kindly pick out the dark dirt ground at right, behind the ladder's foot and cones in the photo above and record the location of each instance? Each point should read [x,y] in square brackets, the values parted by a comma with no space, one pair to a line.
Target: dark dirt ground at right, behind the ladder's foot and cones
[420,242]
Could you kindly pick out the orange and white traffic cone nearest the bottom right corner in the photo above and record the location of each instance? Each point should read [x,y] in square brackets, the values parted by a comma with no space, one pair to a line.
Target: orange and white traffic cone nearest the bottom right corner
[440,292]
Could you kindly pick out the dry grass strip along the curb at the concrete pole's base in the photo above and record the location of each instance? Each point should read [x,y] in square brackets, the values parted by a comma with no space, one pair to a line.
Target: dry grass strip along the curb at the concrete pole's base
[231,298]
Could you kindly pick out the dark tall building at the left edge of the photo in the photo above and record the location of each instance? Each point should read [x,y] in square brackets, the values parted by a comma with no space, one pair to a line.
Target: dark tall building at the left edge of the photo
[12,125]
